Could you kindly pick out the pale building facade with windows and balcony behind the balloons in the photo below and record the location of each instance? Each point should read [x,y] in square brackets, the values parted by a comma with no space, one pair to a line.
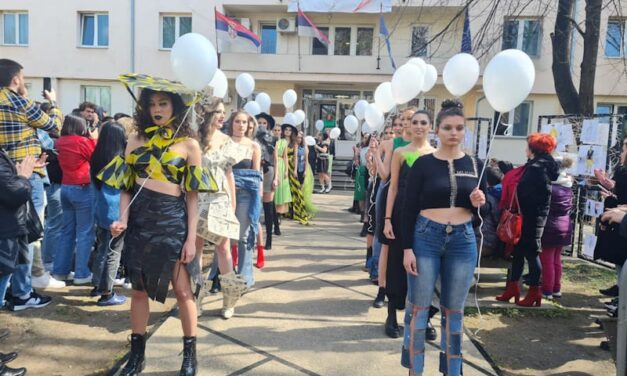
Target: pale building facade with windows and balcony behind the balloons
[83,46]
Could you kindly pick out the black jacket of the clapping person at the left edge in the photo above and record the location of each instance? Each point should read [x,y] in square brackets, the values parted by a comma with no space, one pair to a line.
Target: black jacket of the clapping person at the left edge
[15,191]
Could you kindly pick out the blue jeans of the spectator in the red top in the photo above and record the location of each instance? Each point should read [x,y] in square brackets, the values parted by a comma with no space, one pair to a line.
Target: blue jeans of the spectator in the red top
[78,230]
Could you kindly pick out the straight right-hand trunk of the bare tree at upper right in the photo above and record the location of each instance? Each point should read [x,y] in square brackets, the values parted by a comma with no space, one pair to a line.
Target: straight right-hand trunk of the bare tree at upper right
[590,53]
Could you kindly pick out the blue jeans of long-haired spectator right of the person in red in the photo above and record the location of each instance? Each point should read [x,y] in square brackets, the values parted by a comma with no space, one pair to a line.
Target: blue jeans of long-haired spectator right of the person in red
[107,260]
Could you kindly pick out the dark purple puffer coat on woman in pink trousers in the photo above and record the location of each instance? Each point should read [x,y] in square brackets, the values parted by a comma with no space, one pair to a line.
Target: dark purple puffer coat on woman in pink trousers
[558,229]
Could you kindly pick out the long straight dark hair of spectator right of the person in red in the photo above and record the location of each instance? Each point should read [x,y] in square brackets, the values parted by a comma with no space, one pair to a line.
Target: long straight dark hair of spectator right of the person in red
[111,143]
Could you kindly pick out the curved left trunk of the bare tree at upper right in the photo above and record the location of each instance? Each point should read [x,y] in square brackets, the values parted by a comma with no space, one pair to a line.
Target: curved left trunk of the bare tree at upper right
[560,40]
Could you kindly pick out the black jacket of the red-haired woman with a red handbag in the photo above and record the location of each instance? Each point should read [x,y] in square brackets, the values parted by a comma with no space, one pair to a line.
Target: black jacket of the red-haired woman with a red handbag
[534,196]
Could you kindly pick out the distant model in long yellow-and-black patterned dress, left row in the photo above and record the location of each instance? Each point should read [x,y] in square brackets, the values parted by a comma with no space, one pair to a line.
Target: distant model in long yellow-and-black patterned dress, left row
[298,209]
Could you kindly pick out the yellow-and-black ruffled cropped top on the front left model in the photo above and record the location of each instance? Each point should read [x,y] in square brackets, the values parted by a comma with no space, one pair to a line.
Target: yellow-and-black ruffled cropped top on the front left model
[155,161]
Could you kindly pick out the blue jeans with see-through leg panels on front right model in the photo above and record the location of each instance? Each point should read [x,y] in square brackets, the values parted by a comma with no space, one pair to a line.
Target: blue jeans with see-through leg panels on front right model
[452,256]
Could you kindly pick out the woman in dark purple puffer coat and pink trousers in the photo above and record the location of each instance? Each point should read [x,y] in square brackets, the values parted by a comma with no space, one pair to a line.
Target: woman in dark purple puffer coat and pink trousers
[557,232]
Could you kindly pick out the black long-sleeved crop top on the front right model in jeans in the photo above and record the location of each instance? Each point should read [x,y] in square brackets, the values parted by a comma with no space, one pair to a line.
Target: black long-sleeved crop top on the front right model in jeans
[434,183]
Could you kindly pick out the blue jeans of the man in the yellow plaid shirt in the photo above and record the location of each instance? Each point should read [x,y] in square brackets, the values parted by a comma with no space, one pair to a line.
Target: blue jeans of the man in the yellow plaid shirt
[21,282]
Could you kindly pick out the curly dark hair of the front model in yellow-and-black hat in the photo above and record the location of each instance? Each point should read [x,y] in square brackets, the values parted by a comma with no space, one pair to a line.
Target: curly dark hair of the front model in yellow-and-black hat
[143,119]
